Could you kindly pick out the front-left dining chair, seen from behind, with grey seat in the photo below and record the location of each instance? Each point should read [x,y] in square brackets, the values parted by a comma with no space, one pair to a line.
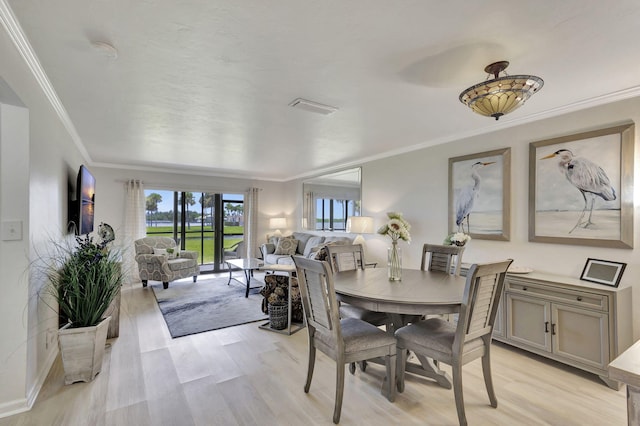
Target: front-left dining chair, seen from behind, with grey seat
[344,340]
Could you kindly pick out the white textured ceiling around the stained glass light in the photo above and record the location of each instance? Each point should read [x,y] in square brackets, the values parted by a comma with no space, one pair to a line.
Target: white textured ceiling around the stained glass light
[204,86]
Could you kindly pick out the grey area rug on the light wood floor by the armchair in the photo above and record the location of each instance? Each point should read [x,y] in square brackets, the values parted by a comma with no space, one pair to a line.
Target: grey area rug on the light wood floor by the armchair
[209,304]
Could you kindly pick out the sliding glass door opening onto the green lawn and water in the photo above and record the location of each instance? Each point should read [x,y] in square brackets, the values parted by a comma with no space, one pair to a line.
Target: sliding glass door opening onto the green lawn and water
[207,223]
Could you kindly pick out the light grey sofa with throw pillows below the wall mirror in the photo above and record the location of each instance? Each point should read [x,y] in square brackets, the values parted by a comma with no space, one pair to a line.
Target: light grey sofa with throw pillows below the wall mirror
[279,250]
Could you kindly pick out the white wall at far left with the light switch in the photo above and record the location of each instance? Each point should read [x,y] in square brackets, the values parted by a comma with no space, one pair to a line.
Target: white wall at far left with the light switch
[37,162]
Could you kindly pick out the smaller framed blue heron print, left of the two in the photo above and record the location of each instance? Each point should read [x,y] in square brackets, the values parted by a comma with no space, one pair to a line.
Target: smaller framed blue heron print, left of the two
[479,194]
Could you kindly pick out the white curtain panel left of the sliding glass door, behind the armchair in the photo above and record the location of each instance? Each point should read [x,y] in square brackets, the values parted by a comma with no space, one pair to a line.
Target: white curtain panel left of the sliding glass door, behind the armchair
[135,226]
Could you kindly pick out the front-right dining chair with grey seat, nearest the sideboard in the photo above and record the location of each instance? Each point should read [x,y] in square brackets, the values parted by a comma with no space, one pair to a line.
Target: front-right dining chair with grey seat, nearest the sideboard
[459,344]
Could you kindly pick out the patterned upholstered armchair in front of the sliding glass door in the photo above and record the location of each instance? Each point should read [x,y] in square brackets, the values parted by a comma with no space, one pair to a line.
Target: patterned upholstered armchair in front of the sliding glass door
[157,264]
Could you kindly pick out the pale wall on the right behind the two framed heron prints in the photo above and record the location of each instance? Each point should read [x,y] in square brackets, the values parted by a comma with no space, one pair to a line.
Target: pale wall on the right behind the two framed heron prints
[416,184]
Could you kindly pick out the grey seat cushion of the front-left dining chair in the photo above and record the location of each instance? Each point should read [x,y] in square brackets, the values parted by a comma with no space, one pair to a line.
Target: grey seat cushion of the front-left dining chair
[359,335]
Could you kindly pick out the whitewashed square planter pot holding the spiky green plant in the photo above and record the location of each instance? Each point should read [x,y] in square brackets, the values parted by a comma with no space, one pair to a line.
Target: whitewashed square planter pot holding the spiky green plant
[82,350]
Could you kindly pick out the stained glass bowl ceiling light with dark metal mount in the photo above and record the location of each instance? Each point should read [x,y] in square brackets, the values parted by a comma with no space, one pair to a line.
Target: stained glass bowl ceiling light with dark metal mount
[501,95]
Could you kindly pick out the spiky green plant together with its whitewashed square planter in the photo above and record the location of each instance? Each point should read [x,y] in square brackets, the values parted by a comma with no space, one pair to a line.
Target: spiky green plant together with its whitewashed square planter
[84,280]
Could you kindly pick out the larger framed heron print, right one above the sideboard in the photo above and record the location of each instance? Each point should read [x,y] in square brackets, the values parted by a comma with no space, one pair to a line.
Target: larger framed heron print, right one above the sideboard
[581,188]
